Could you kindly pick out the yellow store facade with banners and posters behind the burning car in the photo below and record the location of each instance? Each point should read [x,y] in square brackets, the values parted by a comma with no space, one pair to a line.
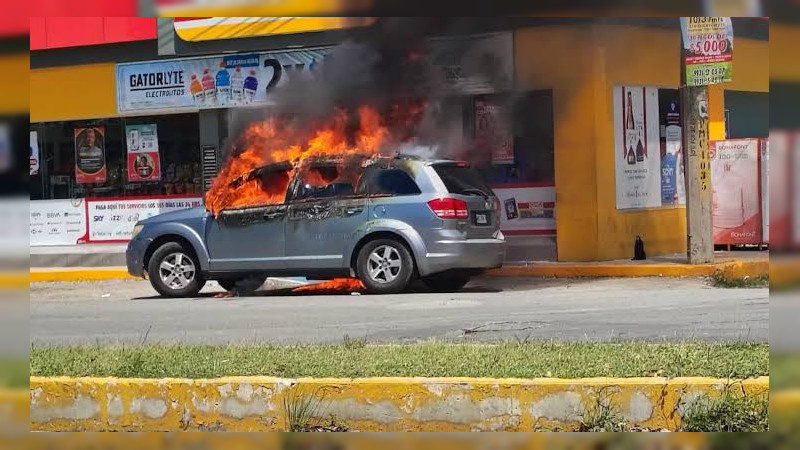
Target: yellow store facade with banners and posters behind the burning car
[553,123]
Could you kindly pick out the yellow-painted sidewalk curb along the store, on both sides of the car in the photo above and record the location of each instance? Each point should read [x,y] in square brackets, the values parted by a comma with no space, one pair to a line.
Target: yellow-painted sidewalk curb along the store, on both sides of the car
[730,269]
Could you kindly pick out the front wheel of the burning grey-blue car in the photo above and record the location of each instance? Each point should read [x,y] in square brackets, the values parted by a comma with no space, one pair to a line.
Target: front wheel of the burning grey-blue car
[174,271]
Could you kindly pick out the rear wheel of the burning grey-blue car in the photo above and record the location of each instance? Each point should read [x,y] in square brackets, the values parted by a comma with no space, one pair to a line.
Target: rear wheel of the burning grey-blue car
[385,266]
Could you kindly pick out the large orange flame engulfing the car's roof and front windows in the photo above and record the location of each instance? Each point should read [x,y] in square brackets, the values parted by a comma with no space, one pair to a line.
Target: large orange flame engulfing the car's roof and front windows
[365,132]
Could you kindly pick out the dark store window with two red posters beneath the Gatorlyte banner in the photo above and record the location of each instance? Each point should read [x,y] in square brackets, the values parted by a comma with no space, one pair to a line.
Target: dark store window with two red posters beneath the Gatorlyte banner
[102,162]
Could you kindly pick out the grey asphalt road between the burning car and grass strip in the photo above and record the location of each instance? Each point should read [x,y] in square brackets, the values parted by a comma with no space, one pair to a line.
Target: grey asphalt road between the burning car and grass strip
[488,309]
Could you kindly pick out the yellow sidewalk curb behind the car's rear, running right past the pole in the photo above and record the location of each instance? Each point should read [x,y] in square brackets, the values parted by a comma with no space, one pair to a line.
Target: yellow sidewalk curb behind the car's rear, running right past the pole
[729,269]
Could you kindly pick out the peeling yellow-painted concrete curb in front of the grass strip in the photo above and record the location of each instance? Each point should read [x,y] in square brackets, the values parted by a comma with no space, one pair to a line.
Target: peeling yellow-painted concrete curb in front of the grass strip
[368,404]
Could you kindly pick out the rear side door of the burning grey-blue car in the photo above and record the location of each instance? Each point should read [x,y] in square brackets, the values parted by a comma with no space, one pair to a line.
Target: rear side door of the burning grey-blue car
[321,221]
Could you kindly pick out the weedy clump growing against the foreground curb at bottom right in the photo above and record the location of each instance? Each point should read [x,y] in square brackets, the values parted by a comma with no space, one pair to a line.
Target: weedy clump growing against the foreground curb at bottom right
[731,412]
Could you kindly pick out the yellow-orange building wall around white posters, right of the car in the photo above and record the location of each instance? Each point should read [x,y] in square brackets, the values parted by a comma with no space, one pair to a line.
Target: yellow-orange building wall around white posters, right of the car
[582,64]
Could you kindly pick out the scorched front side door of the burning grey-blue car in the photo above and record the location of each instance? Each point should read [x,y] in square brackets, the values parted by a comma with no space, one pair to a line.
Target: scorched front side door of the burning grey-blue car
[250,238]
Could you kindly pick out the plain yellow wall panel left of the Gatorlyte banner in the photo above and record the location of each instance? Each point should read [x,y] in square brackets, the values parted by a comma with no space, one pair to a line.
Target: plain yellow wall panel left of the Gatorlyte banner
[73,92]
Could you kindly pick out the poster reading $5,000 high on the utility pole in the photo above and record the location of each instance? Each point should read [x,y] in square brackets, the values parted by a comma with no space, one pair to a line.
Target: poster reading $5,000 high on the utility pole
[707,50]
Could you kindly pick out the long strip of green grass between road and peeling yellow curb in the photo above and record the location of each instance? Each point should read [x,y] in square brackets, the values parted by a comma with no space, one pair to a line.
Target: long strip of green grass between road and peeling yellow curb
[356,358]
